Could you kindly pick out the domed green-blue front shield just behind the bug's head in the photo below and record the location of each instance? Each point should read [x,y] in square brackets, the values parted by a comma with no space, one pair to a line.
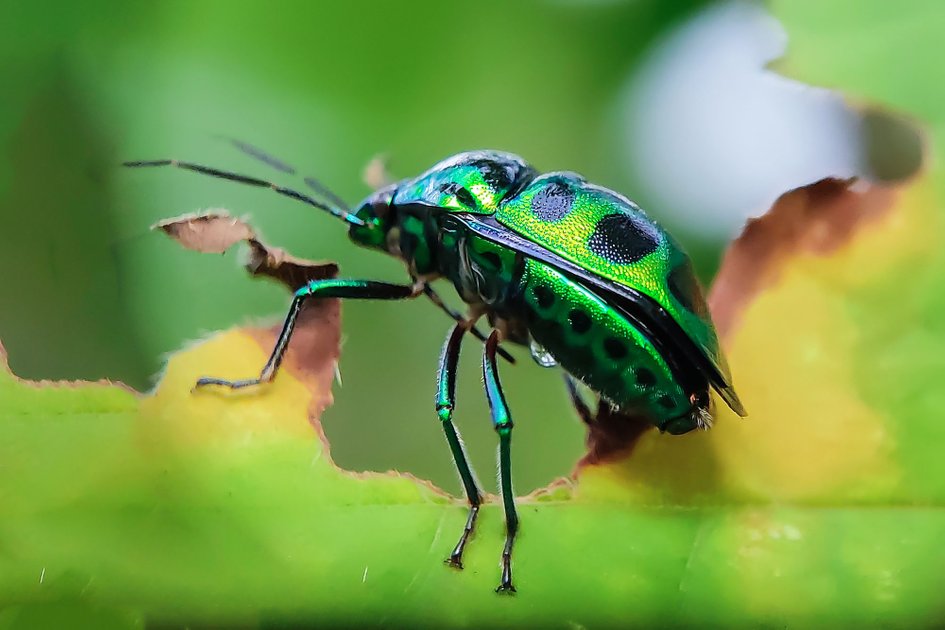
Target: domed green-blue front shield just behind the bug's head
[474,182]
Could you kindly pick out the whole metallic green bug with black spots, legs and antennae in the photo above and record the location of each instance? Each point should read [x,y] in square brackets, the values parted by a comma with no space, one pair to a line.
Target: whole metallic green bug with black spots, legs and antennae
[575,271]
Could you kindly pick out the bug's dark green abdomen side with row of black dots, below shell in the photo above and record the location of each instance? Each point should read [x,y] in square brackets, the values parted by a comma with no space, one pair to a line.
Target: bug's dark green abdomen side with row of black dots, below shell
[596,344]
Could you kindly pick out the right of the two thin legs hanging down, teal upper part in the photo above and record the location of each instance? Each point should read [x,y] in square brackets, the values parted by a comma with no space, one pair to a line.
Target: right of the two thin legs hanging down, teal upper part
[502,420]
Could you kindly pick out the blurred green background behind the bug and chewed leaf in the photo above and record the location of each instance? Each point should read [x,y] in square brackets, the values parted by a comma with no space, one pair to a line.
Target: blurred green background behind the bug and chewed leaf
[88,292]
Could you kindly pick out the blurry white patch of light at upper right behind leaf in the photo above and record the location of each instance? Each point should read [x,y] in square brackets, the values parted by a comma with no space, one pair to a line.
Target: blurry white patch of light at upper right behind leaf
[715,137]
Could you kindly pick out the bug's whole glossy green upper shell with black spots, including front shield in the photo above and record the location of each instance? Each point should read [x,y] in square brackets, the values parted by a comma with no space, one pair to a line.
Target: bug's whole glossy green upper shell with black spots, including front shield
[595,234]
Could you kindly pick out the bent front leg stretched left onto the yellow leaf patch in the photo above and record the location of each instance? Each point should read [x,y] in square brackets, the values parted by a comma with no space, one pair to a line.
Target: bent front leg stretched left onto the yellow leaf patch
[337,288]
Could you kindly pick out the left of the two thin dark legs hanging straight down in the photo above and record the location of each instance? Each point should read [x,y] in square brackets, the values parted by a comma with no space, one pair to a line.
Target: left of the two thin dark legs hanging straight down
[445,403]
